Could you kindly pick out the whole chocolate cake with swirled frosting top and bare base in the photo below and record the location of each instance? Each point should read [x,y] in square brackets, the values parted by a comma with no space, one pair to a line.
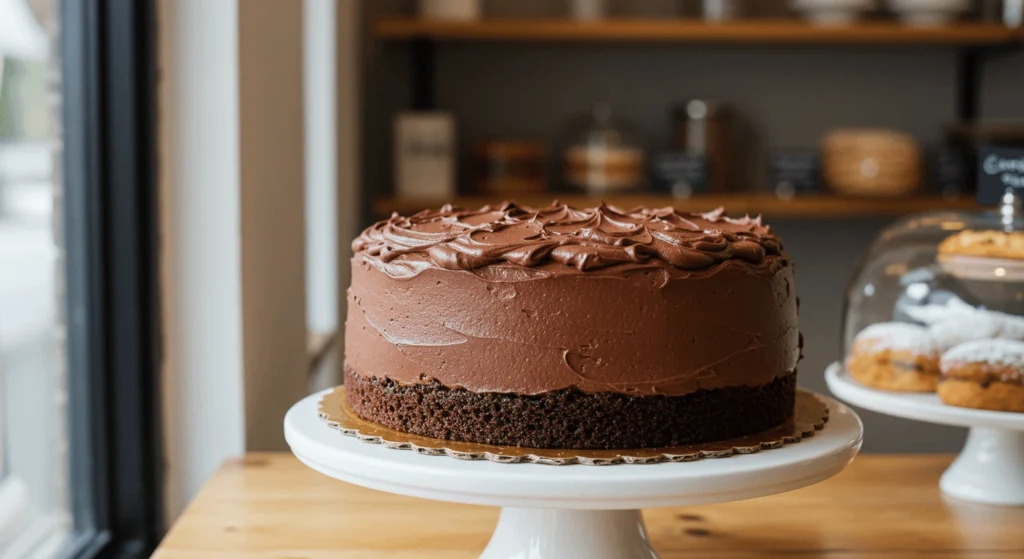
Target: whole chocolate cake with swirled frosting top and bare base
[572,328]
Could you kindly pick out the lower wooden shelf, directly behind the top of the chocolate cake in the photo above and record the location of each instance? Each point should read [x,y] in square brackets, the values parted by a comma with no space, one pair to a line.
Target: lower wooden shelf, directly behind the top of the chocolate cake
[803,207]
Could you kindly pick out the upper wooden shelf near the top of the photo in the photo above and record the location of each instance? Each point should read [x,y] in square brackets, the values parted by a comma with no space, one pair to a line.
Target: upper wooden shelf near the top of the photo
[694,31]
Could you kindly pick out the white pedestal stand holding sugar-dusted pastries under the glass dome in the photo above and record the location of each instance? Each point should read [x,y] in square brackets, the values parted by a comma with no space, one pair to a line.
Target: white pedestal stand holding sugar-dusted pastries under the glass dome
[990,469]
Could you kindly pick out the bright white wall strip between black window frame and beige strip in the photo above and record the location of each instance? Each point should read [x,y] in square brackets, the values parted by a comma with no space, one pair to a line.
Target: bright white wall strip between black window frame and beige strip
[201,252]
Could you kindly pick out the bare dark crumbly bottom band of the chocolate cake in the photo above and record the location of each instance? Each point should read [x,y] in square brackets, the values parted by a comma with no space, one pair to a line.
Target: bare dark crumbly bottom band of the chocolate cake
[569,418]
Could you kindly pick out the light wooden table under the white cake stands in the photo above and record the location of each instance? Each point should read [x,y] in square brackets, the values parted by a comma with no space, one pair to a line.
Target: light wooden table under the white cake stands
[270,506]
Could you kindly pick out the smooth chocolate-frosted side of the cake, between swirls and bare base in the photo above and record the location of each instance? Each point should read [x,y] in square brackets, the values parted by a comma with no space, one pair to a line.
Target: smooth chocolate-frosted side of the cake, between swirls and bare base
[636,332]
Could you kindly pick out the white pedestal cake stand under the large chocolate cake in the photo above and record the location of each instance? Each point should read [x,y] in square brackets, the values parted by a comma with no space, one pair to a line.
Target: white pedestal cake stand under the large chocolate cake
[574,511]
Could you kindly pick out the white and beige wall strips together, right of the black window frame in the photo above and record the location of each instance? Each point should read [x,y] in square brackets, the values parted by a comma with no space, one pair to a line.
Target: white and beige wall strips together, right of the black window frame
[232,231]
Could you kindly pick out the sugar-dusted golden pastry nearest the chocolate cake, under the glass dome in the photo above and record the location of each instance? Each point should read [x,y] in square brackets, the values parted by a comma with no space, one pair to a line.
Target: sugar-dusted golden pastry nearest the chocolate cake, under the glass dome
[895,357]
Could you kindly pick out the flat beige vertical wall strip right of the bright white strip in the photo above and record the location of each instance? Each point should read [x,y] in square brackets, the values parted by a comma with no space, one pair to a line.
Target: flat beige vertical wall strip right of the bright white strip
[273,179]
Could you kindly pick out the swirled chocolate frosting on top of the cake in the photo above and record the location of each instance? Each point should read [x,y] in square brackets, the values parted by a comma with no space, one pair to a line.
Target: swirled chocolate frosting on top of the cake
[583,239]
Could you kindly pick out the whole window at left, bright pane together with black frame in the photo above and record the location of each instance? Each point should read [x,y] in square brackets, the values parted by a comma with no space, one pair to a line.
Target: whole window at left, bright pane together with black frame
[79,438]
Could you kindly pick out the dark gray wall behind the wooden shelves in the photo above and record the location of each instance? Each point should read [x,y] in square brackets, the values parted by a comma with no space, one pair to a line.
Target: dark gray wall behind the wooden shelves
[788,96]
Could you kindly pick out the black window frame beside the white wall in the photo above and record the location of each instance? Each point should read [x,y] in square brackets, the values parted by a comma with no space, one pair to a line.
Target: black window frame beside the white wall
[108,59]
